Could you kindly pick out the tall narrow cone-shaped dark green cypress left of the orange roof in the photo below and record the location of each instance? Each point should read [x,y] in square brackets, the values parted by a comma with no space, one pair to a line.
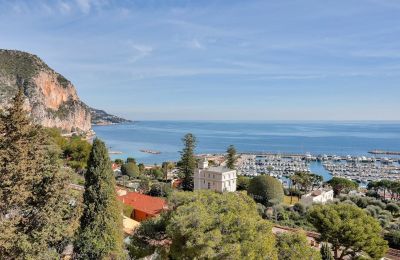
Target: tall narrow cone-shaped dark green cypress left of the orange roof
[100,235]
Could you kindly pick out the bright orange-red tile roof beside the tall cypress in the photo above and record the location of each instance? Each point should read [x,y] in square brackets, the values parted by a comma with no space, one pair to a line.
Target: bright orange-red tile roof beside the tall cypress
[148,204]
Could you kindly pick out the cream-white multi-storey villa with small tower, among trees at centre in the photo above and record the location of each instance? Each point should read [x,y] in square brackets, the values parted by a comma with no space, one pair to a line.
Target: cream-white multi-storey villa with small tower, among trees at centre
[214,178]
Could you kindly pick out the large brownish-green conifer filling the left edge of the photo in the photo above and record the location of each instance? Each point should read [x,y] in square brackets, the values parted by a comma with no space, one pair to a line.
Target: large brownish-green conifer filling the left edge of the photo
[36,217]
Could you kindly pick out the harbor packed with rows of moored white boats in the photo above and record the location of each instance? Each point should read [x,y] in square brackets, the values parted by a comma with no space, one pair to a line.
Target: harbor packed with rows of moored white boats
[362,169]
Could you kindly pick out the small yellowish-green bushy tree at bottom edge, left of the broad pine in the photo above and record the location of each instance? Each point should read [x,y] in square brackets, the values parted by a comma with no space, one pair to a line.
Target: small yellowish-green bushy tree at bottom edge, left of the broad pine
[294,246]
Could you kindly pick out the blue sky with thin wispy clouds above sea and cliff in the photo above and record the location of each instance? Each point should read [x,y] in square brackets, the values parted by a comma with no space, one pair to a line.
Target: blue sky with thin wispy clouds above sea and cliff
[231,60]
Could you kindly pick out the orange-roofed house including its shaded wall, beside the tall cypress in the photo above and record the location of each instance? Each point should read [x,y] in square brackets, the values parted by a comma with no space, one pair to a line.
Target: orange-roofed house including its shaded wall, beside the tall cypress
[144,206]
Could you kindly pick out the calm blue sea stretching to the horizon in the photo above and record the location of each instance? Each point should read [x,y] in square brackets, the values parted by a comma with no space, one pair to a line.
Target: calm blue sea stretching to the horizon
[316,138]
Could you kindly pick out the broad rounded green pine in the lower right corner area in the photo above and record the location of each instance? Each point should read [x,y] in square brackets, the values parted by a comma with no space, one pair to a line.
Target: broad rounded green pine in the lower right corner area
[349,230]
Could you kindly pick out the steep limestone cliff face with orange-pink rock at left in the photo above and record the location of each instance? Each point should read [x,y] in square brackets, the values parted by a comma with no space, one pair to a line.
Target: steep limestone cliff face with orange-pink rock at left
[51,99]
